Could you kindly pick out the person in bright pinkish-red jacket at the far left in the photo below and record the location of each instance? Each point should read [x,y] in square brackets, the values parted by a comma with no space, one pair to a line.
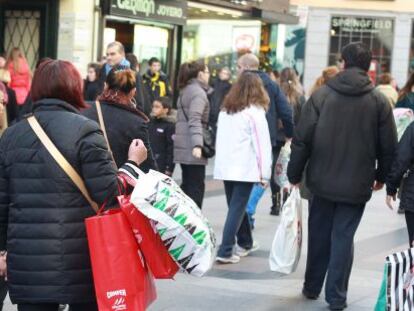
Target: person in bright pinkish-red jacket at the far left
[20,75]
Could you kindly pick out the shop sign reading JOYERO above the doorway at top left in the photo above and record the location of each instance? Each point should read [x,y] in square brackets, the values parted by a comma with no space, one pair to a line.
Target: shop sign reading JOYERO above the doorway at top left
[171,11]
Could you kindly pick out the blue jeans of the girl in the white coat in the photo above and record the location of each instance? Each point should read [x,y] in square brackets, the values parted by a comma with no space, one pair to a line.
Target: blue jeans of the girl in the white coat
[237,222]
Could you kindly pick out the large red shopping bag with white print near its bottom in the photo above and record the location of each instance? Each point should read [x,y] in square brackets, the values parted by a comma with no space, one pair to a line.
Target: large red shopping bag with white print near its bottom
[121,276]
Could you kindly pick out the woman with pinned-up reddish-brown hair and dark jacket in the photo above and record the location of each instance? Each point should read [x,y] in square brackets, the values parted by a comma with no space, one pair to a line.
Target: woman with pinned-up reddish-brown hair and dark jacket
[122,121]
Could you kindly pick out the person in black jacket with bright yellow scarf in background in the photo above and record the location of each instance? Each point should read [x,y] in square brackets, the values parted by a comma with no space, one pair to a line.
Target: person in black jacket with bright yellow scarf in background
[156,81]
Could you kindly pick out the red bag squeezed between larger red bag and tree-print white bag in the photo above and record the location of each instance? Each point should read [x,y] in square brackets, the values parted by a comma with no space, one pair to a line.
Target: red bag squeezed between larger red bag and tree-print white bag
[155,253]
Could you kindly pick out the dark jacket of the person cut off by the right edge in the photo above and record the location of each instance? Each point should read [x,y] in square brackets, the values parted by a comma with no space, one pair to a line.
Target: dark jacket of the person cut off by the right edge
[403,166]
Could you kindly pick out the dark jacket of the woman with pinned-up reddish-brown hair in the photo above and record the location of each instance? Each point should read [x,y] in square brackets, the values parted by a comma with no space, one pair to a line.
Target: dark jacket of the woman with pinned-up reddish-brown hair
[123,125]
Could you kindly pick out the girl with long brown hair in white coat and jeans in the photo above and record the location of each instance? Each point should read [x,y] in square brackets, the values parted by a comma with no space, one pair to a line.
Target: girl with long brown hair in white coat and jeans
[243,157]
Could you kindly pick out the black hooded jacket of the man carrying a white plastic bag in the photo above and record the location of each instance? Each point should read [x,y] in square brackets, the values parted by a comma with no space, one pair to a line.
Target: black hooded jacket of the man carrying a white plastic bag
[345,128]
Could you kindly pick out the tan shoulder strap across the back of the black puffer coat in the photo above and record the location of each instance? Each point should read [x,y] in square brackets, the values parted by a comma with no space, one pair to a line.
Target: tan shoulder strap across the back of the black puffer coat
[60,159]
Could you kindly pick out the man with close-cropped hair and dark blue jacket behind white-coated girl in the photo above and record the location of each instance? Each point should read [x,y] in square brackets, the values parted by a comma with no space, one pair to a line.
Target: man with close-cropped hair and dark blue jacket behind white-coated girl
[279,109]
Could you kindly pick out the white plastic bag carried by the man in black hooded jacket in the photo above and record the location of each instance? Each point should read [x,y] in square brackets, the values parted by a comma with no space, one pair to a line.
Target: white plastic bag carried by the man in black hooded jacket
[287,244]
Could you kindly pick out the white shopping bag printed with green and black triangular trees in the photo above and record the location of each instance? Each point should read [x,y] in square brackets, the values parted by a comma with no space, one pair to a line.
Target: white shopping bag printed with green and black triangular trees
[184,230]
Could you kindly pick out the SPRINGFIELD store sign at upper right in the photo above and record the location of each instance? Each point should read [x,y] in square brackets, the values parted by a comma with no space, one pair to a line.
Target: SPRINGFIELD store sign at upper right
[362,24]
